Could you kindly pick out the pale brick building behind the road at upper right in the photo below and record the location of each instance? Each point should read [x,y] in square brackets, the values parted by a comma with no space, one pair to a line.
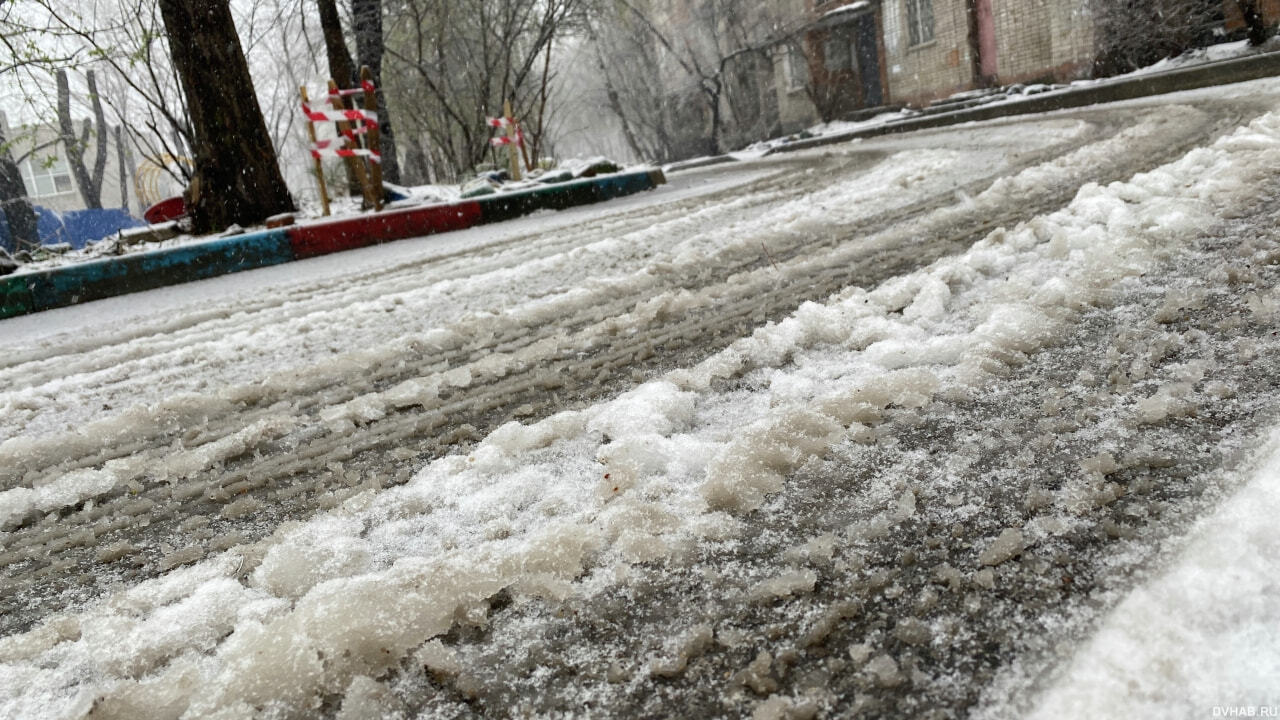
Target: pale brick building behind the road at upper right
[867,54]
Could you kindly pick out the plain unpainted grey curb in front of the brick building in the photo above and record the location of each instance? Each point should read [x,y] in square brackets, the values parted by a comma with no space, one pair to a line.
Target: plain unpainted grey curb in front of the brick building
[1206,75]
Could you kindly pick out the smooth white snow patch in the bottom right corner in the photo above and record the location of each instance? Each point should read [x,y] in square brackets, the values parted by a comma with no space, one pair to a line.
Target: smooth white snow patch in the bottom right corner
[1219,599]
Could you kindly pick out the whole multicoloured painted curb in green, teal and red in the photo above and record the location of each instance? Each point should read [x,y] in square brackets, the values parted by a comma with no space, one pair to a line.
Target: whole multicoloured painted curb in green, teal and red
[95,280]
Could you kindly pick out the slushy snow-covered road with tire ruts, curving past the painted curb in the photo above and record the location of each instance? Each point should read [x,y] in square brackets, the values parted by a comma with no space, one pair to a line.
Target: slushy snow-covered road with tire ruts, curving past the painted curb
[884,429]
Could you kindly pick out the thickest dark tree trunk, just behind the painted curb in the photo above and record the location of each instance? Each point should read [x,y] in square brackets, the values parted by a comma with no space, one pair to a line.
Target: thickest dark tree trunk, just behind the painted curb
[236,179]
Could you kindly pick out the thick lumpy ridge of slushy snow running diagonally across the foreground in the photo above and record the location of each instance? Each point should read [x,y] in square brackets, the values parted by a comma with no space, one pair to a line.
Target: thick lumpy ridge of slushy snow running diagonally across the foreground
[569,504]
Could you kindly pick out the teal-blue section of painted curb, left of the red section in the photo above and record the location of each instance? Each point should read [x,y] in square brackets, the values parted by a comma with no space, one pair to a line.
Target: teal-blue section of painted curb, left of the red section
[147,271]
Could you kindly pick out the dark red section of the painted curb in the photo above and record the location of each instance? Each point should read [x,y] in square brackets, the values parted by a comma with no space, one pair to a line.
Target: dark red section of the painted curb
[362,231]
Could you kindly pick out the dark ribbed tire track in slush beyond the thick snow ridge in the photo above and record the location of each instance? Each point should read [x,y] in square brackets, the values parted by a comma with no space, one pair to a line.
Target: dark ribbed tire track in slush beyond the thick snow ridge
[147,528]
